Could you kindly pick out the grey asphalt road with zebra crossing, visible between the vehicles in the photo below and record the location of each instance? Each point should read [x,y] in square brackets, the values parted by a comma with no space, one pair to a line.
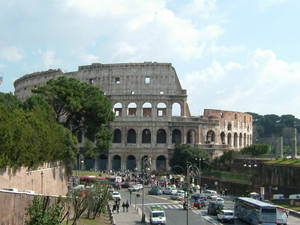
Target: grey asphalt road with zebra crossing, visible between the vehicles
[175,213]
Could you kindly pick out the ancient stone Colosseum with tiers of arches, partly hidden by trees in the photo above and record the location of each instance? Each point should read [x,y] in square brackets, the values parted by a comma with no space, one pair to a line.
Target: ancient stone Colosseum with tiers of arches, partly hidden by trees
[152,114]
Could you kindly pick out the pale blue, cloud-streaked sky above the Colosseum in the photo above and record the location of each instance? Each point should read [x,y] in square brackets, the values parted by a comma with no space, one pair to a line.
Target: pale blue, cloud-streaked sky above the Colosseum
[238,55]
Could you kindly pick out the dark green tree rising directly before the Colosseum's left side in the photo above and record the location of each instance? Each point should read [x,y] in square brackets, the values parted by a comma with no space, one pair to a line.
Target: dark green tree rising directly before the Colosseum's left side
[81,108]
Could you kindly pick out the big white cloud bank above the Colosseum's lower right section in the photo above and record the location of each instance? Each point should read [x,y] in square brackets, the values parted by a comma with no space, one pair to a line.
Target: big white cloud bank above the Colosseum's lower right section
[264,84]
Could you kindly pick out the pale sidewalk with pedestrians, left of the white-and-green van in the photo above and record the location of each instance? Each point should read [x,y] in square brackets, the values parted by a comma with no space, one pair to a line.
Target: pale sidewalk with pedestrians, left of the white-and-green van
[131,217]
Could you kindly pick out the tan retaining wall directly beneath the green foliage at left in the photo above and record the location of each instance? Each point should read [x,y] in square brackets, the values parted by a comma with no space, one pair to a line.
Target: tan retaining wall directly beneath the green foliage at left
[49,181]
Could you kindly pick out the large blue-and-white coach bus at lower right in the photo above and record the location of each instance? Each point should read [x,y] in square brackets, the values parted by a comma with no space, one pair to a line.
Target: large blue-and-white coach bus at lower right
[255,212]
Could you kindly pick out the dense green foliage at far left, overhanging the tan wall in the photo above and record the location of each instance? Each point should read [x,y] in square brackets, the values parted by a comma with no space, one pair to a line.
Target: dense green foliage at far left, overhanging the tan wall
[30,135]
